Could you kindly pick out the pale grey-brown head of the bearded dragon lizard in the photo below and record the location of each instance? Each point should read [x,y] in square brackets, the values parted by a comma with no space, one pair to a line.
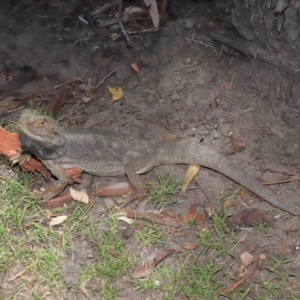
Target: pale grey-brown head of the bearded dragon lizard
[42,129]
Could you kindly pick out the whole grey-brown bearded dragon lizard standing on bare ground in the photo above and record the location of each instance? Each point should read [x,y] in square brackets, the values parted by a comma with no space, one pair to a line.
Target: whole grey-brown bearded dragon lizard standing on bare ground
[105,153]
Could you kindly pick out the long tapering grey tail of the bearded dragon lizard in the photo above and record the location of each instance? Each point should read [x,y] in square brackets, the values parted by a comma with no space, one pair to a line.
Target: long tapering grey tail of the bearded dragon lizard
[193,153]
